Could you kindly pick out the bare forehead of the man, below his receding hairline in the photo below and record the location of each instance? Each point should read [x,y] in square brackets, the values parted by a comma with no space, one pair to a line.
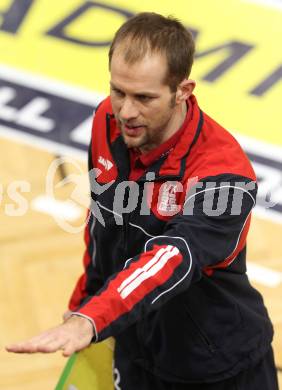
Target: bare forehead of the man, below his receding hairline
[148,73]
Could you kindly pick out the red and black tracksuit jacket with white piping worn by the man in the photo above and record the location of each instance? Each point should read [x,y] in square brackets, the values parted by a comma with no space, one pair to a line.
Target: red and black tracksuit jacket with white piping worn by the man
[168,279]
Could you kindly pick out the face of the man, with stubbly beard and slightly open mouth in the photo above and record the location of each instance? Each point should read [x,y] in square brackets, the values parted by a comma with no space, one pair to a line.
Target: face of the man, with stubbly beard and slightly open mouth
[143,105]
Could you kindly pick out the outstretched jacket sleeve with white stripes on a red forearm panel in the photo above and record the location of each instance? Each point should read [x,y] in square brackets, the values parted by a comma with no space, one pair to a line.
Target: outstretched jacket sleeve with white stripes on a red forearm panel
[209,232]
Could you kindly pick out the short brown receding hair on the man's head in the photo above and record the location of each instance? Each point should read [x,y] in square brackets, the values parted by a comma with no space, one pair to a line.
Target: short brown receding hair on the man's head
[151,32]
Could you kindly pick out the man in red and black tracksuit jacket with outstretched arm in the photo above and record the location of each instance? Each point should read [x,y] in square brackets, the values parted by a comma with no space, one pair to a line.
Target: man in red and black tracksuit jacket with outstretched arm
[165,267]
